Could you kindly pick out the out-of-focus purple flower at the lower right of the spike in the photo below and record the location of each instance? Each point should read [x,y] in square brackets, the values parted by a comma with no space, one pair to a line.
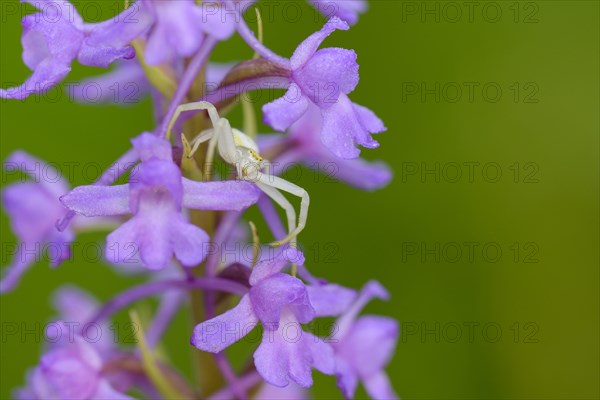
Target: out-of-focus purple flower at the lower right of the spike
[364,346]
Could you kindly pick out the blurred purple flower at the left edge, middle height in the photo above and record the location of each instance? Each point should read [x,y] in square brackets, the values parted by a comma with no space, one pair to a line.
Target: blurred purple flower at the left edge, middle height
[34,209]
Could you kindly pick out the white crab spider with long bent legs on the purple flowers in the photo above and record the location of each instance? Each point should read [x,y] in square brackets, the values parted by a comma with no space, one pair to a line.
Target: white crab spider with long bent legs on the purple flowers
[239,150]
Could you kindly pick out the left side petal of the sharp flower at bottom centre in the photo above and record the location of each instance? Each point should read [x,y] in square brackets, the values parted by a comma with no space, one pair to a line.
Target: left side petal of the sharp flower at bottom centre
[220,332]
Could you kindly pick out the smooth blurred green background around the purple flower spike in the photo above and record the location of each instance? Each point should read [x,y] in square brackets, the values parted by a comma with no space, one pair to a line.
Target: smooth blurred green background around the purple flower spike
[522,324]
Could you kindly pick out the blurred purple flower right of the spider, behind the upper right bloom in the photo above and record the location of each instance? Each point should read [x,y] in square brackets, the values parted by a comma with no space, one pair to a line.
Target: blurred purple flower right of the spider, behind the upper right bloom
[307,148]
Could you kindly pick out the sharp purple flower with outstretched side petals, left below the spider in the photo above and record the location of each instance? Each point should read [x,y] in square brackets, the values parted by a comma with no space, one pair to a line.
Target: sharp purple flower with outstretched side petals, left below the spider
[156,195]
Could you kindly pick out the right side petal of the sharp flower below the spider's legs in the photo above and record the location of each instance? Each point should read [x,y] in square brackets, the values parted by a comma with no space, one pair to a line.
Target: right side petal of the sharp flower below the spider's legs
[330,300]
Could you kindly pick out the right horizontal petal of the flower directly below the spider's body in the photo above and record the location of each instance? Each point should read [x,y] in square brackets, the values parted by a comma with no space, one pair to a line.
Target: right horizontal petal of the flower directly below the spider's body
[225,195]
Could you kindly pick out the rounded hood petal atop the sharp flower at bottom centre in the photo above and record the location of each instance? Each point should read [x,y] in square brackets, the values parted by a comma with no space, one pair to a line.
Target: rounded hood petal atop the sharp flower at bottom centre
[270,297]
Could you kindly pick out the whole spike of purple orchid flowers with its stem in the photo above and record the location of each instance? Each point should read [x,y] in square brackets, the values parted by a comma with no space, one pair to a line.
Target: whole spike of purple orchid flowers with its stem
[175,210]
